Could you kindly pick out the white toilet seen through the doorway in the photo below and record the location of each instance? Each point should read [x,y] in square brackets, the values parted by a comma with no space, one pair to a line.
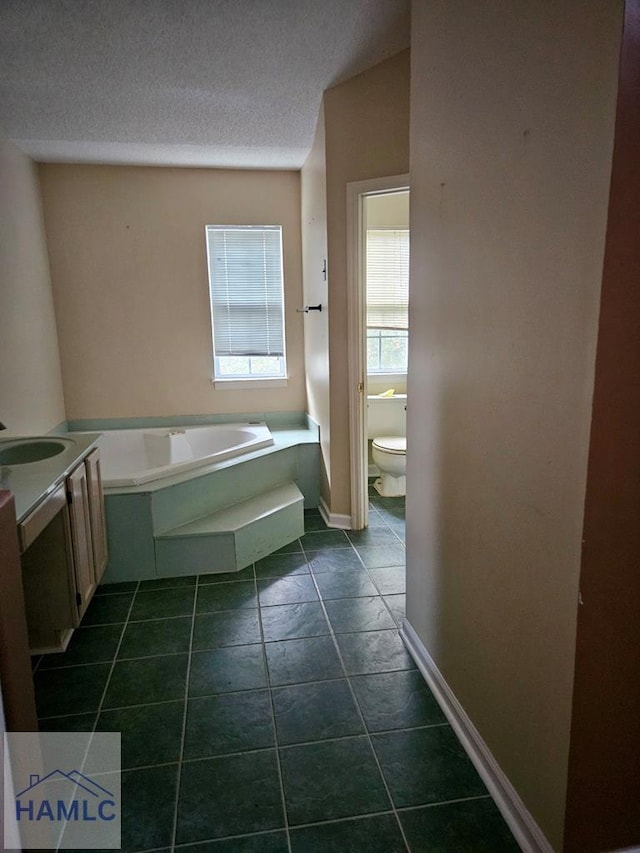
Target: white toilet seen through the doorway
[386,426]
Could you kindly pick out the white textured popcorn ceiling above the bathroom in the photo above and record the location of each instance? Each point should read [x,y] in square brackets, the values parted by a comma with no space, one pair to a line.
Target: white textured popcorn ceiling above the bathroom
[226,83]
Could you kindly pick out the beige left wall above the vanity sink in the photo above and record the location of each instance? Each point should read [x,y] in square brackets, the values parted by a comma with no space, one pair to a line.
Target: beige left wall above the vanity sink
[31,399]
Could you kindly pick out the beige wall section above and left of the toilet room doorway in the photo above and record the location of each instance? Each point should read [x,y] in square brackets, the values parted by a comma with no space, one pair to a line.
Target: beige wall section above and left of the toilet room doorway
[367,136]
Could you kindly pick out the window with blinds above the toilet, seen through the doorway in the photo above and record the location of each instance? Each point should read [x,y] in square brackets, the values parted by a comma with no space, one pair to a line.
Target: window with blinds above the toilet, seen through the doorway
[387,277]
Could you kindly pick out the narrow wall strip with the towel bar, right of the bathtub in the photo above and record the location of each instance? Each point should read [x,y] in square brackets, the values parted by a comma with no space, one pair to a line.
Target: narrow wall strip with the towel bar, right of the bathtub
[313,192]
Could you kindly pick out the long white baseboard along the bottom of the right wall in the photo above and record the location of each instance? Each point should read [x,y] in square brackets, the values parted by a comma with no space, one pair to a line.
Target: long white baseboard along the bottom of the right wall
[520,821]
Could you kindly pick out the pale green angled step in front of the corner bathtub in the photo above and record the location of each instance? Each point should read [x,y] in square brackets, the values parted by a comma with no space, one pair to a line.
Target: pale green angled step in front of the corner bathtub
[232,538]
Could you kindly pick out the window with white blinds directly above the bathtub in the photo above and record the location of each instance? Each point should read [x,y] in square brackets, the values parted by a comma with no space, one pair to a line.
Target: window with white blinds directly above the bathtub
[246,294]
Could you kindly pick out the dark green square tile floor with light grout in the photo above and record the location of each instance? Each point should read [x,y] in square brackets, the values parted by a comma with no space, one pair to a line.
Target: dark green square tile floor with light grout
[276,709]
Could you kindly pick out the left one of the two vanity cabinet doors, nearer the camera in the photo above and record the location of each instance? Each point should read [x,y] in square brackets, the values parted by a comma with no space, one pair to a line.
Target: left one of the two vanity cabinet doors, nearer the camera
[78,496]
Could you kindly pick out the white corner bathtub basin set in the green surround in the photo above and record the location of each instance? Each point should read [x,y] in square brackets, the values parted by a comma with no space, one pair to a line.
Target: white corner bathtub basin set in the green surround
[131,457]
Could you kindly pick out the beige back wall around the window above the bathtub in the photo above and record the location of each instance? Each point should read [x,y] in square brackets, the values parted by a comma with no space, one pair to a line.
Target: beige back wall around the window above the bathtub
[128,264]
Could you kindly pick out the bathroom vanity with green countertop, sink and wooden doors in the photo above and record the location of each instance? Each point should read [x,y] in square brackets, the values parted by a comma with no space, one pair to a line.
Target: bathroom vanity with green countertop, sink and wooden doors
[61,532]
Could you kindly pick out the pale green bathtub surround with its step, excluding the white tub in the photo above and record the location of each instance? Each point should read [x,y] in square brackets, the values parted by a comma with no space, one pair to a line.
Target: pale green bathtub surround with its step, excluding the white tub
[217,518]
